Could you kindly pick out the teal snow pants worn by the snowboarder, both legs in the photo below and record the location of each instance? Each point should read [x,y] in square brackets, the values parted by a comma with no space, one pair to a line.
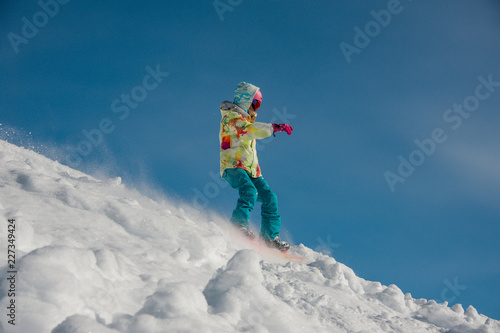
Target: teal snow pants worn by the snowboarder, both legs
[252,190]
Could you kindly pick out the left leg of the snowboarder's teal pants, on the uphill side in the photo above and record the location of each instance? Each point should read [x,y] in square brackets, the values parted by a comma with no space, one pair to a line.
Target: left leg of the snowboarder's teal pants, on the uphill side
[240,180]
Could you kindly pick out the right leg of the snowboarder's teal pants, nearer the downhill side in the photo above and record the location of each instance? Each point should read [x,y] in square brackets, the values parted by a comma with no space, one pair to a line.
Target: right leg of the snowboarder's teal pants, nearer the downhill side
[271,220]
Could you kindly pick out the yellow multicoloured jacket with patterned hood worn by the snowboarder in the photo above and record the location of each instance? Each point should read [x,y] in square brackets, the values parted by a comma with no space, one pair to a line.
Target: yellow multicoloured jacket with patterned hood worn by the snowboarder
[238,134]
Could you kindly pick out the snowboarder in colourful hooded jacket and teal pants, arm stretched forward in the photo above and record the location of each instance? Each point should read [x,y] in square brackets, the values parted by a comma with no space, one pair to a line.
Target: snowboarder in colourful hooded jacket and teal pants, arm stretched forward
[239,165]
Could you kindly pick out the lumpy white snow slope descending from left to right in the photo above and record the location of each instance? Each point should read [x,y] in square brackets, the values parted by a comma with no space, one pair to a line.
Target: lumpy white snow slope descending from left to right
[95,256]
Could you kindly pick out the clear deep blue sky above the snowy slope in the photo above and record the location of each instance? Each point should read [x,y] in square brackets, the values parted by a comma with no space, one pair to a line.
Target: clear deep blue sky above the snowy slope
[145,80]
